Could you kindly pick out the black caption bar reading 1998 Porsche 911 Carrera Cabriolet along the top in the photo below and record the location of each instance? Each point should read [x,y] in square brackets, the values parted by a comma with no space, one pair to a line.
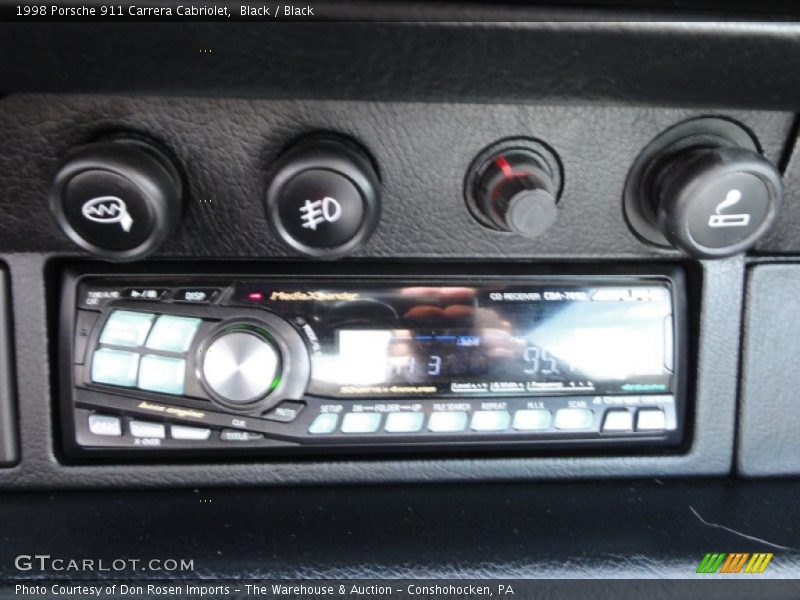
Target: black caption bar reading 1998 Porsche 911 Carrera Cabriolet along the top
[32,11]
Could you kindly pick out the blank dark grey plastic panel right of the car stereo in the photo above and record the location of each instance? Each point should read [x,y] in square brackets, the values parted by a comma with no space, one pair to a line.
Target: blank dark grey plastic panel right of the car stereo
[769,421]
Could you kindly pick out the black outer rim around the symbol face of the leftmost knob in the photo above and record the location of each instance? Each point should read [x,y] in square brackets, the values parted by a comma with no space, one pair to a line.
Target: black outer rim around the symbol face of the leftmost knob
[147,167]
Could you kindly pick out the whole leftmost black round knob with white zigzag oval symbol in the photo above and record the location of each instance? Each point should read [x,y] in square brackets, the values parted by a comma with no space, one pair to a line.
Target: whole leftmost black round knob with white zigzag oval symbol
[119,199]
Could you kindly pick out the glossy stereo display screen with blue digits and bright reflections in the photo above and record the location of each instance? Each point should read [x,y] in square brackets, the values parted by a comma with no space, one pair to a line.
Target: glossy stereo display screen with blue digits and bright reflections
[493,340]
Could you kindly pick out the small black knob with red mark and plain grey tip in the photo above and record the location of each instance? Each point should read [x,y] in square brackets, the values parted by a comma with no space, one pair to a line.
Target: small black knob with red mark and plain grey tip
[514,187]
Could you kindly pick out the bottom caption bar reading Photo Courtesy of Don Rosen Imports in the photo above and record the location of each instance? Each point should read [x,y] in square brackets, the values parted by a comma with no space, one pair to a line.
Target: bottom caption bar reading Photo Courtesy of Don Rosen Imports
[429,589]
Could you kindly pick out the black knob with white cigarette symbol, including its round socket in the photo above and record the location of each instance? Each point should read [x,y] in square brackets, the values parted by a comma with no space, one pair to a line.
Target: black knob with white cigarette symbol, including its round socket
[703,188]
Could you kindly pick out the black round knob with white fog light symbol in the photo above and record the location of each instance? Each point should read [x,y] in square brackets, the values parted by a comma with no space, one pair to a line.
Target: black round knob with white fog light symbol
[323,197]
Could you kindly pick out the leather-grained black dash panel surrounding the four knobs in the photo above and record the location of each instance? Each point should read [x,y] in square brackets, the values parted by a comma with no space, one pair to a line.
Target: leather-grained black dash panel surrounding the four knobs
[423,151]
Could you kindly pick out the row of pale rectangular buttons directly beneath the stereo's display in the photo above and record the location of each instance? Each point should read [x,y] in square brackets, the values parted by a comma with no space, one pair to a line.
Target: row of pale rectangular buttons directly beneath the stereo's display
[566,419]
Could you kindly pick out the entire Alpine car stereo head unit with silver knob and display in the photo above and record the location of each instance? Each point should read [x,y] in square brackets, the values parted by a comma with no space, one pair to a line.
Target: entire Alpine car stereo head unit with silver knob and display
[209,364]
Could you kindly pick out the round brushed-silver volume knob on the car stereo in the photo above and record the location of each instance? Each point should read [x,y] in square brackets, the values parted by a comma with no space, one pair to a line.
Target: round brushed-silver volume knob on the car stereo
[240,366]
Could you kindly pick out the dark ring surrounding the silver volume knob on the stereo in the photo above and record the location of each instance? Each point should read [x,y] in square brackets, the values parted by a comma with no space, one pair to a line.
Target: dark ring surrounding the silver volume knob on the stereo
[294,363]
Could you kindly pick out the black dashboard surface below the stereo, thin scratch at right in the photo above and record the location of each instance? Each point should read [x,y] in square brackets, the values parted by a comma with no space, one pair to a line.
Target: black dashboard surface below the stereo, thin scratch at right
[649,529]
